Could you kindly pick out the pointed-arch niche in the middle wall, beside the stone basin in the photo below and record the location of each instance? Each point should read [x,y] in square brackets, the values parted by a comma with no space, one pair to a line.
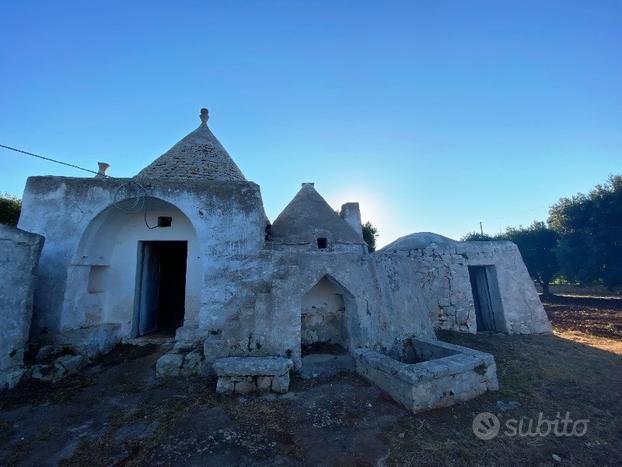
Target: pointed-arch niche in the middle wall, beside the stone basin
[324,334]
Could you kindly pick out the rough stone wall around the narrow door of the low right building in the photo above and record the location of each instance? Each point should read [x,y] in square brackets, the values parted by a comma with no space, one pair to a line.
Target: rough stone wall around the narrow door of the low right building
[436,278]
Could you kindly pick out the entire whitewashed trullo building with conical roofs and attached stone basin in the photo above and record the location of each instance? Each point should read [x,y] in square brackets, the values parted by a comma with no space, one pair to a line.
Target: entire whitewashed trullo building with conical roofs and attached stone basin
[184,248]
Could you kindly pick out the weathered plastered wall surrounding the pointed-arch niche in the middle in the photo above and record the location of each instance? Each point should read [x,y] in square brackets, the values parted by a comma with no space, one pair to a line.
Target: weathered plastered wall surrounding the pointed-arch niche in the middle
[265,317]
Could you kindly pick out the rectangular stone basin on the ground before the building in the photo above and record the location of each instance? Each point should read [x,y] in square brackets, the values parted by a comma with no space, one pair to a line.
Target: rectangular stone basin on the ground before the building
[424,374]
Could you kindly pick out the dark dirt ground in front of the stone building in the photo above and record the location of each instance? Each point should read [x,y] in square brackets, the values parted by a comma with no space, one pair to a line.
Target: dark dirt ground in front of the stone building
[117,413]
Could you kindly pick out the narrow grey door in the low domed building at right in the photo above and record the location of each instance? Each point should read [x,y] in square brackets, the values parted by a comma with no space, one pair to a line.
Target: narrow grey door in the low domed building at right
[486,299]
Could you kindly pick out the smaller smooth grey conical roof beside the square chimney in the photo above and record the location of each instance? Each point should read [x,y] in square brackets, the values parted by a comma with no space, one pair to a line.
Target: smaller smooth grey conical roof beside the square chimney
[308,217]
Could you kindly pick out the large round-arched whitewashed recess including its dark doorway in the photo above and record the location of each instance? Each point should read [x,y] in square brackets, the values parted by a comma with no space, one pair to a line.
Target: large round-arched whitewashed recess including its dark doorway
[139,268]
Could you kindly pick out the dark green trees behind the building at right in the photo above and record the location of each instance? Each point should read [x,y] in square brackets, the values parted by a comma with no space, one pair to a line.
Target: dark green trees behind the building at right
[580,242]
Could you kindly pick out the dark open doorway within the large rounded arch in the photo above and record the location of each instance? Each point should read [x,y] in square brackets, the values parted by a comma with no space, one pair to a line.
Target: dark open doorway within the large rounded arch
[161,287]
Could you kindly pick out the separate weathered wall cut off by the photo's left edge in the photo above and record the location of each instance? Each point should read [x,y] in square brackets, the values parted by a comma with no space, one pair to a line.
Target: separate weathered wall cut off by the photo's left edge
[19,257]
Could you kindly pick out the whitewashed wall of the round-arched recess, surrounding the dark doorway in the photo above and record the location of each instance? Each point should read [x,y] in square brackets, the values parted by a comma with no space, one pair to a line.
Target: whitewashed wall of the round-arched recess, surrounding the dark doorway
[107,277]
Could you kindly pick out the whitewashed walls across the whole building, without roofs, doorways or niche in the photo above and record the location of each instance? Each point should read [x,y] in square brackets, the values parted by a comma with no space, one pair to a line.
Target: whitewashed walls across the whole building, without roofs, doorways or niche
[245,294]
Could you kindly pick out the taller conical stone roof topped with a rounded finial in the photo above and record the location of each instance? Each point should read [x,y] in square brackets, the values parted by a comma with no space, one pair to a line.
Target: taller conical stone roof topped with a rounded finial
[198,156]
